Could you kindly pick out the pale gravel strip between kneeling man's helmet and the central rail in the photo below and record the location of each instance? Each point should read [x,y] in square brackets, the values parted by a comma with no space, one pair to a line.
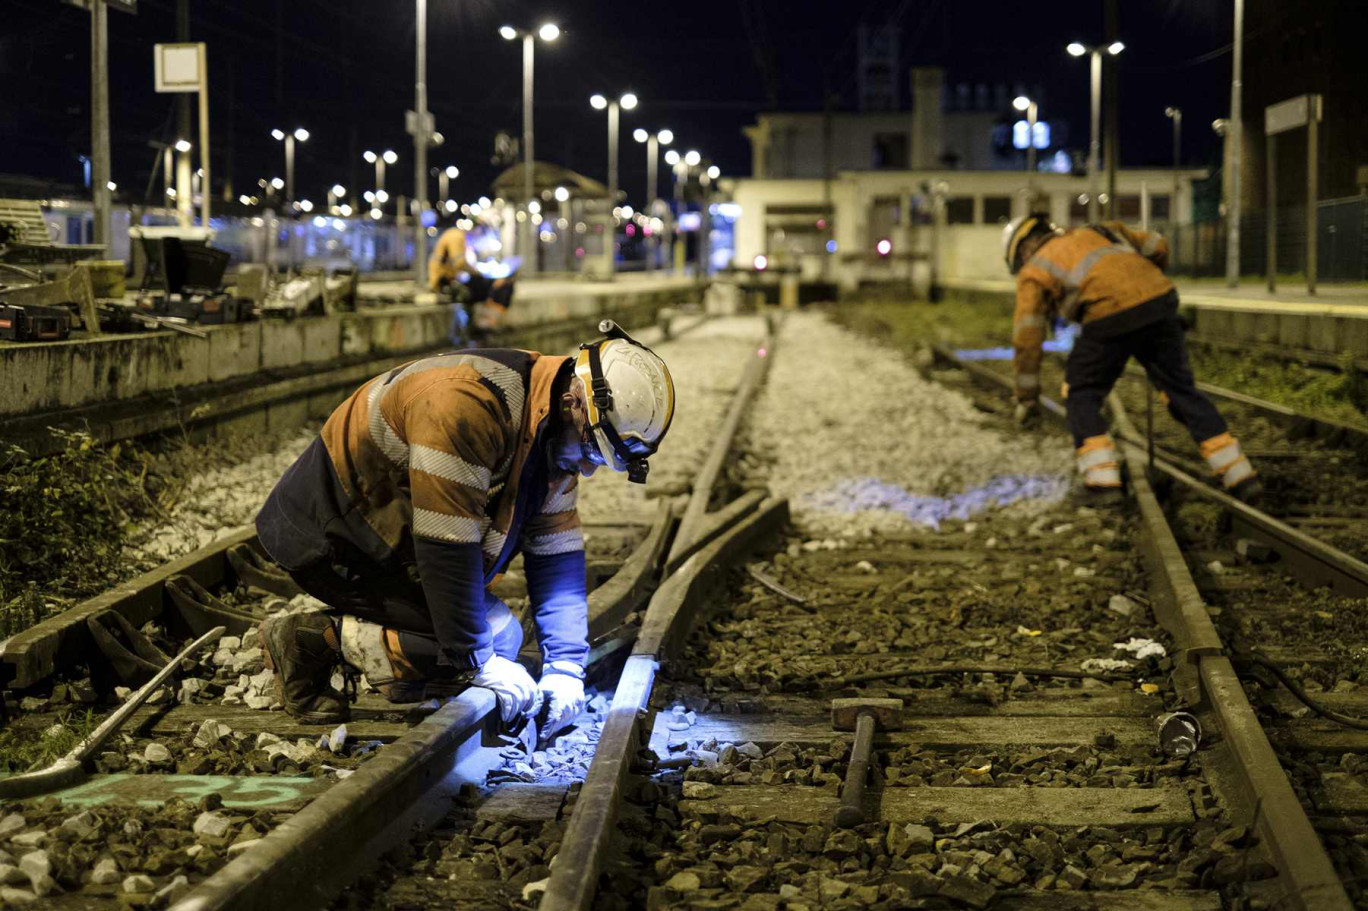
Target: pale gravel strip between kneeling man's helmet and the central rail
[707,366]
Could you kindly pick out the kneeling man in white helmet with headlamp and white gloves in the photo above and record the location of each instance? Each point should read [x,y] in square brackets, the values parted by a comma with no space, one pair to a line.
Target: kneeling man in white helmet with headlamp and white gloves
[417,496]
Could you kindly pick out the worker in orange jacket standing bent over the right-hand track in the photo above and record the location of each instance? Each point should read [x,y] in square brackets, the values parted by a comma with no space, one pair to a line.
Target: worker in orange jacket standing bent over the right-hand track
[1110,278]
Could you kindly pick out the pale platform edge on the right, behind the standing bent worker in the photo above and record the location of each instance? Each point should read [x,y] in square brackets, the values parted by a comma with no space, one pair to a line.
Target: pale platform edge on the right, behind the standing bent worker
[1322,328]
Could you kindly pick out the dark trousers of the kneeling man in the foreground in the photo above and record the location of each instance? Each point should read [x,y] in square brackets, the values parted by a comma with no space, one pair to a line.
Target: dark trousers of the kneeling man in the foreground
[393,598]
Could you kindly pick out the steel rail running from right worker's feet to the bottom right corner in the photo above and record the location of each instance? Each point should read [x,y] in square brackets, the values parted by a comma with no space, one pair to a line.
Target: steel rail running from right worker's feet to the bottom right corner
[1304,867]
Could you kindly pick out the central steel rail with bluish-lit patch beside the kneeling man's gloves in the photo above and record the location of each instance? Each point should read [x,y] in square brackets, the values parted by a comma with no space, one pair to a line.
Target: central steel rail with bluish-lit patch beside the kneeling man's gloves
[668,619]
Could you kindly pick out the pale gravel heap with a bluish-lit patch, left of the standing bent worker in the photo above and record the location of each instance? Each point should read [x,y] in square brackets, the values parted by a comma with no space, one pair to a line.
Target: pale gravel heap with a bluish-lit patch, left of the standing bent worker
[860,441]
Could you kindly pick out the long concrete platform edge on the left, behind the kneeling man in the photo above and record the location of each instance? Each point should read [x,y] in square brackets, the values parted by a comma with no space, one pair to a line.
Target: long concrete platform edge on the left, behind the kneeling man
[151,378]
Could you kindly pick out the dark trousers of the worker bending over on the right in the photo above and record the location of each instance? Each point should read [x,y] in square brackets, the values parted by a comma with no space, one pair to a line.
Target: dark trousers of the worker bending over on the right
[1096,365]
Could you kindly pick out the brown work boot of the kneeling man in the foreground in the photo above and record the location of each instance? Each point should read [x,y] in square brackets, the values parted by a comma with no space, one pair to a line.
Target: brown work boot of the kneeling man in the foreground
[303,652]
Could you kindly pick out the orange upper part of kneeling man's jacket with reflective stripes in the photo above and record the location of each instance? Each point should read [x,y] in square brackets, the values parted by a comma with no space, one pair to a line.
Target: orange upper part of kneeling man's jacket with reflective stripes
[436,449]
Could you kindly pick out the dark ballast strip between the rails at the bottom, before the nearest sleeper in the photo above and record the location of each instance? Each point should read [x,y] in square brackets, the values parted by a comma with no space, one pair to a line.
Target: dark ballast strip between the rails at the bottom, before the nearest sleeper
[712,861]
